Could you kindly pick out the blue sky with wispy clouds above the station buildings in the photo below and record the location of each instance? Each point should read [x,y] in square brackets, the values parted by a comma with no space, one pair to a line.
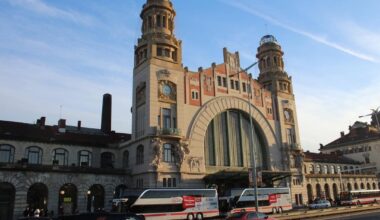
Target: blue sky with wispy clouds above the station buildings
[69,53]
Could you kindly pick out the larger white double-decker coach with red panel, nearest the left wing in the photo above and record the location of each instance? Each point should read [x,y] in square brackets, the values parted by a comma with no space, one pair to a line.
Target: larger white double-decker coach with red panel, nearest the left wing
[170,203]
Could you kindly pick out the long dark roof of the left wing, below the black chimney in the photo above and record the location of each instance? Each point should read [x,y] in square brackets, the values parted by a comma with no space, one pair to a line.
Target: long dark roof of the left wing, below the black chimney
[49,134]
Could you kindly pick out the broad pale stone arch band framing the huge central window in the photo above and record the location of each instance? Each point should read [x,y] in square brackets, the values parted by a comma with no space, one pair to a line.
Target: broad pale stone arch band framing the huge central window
[198,128]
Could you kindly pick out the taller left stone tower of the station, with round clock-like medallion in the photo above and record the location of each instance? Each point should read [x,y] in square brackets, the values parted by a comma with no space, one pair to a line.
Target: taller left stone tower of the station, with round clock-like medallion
[157,90]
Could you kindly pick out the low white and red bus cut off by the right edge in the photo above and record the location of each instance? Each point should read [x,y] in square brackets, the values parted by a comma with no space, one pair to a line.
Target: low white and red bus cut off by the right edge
[356,197]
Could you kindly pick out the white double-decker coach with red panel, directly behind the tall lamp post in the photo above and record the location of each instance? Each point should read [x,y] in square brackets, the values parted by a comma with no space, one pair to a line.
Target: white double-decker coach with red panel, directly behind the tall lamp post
[270,200]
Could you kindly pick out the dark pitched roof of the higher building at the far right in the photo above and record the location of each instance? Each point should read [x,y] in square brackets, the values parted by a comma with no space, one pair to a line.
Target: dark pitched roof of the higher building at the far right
[359,132]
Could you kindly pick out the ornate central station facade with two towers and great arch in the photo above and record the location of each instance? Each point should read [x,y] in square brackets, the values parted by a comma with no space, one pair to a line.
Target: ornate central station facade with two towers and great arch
[192,128]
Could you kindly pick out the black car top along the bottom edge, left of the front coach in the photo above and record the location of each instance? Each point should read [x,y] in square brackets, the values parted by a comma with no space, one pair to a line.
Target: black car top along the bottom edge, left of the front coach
[103,216]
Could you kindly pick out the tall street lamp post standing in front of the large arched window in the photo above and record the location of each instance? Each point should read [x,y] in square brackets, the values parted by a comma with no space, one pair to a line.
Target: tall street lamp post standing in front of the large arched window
[251,133]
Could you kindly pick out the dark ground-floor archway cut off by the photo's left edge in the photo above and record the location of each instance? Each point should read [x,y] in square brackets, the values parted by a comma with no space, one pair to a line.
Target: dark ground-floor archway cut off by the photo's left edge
[7,199]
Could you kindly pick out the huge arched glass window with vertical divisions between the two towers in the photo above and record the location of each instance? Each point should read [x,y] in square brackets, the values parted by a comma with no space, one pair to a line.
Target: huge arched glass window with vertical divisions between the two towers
[228,143]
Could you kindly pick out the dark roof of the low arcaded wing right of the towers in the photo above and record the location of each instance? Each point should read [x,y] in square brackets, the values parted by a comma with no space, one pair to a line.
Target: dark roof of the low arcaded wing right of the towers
[328,158]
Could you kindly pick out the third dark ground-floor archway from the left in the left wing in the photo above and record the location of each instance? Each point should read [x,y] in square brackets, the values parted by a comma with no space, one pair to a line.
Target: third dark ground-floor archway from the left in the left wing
[67,202]
